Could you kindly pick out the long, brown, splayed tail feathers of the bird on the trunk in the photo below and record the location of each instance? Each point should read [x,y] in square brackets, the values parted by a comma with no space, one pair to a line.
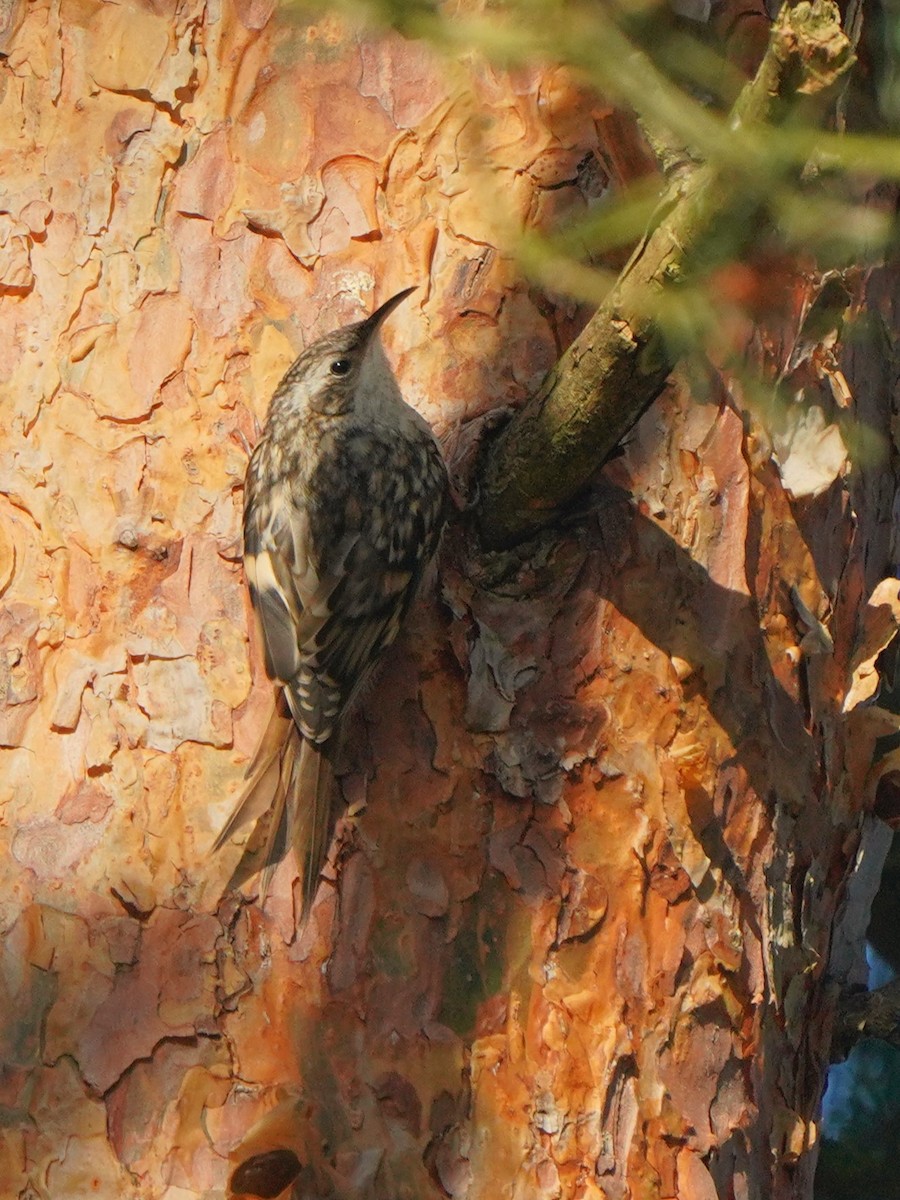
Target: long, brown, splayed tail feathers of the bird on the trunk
[290,783]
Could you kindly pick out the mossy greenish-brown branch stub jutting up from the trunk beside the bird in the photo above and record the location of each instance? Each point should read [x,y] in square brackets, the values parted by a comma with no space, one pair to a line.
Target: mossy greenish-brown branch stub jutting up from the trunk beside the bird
[620,364]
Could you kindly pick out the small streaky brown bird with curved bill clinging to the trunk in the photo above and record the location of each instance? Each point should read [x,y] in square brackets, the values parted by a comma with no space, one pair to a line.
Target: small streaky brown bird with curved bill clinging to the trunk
[345,501]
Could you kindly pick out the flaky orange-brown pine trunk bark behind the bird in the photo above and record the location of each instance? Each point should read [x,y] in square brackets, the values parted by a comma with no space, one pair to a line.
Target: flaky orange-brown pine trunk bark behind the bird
[586,928]
